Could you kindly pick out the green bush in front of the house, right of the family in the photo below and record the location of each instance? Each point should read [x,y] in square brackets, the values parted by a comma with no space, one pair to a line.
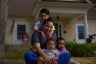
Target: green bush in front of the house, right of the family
[81,50]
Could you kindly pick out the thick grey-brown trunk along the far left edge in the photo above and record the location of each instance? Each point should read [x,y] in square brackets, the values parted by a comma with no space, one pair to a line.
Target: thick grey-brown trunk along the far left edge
[3,19]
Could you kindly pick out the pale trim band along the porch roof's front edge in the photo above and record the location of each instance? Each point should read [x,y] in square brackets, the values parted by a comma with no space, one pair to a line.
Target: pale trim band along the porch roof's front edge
[60,8]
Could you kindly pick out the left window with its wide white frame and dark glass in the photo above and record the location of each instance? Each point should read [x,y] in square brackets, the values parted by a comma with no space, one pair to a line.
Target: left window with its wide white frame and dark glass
[20,27]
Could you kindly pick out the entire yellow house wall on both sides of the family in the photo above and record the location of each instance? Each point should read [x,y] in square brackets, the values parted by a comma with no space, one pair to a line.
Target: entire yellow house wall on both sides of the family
[68,26]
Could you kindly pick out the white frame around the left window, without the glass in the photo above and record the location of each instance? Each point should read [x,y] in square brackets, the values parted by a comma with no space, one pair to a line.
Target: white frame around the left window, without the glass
[19,22]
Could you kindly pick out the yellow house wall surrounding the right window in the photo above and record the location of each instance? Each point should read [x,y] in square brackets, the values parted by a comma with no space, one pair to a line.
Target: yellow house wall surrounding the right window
[70,28]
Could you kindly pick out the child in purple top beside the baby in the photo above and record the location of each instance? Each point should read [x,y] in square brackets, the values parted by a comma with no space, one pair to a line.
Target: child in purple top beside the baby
[62,49]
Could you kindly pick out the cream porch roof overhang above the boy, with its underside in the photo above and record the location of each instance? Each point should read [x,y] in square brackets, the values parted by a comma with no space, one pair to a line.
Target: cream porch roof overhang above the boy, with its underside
[63,9]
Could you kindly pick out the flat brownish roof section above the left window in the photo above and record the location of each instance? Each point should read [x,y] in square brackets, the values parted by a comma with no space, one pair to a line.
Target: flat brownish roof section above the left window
[21,7]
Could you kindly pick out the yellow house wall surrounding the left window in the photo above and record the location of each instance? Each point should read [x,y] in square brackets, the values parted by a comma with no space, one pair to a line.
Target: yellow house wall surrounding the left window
[9,36]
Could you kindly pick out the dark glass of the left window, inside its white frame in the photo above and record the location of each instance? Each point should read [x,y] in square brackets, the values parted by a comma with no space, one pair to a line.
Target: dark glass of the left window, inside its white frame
[21,29]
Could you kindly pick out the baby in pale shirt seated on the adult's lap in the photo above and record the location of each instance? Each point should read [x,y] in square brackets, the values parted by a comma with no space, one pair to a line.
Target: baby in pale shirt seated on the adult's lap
[50,51]
